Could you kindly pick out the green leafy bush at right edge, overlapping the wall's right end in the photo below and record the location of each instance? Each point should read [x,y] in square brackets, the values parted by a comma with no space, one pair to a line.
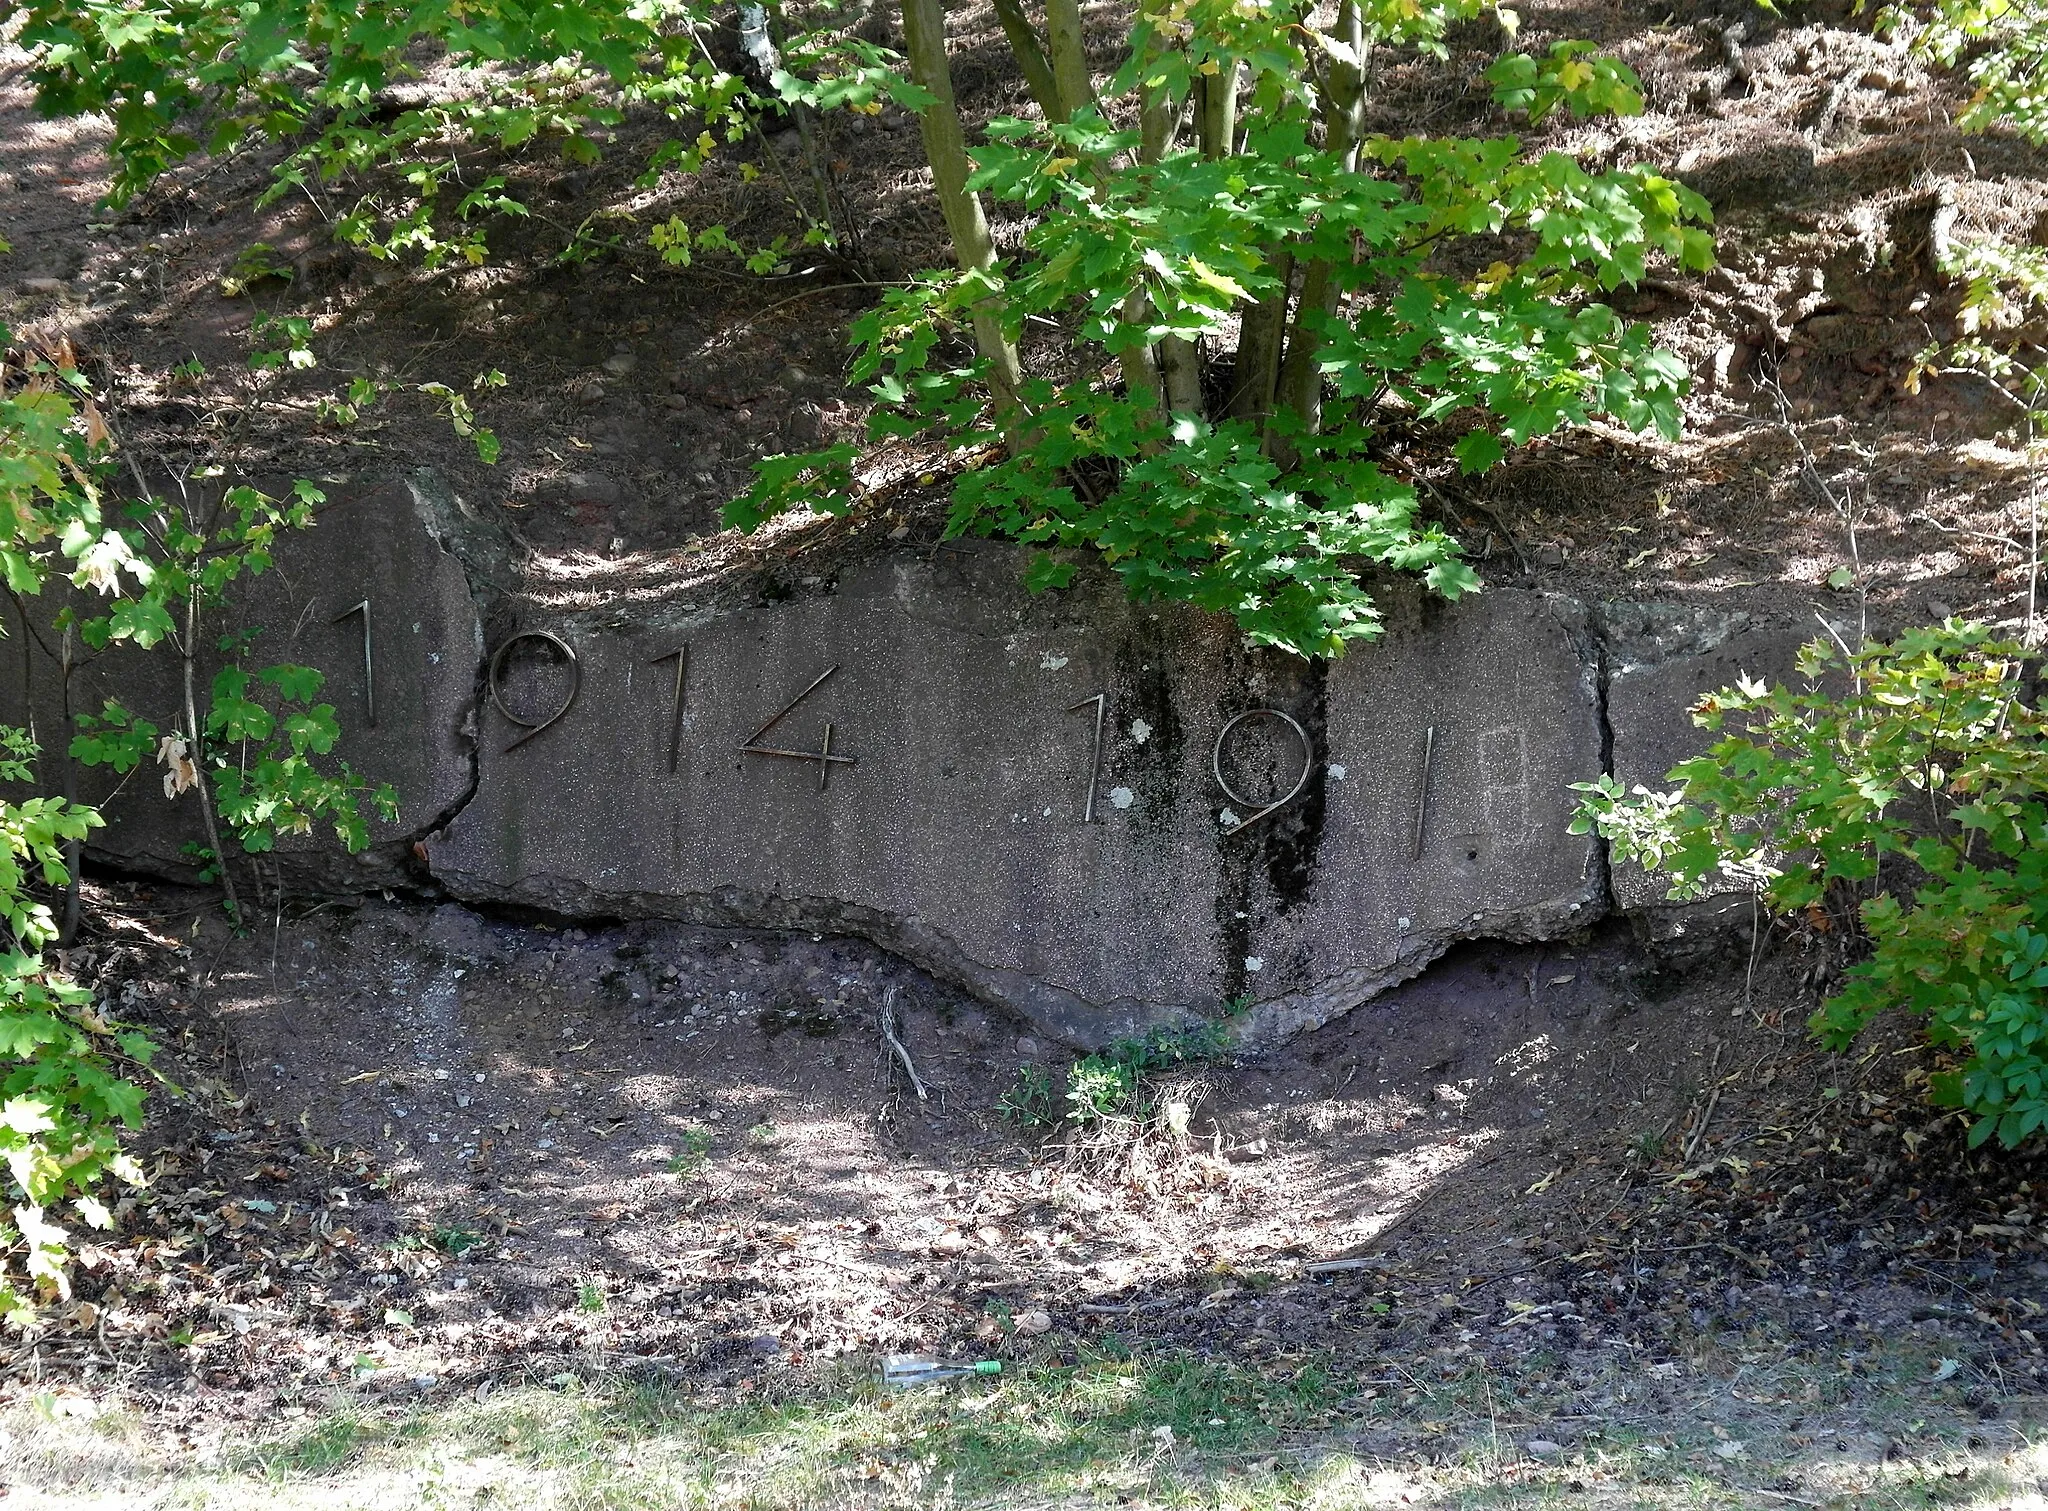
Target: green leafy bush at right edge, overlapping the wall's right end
[1916,791]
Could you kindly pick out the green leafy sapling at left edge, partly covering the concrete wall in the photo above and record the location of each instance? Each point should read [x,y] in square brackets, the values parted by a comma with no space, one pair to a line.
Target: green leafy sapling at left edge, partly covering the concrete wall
[157,570]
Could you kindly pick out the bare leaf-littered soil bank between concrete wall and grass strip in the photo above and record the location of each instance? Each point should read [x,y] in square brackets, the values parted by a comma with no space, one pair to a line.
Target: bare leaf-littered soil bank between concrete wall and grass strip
[421,1152]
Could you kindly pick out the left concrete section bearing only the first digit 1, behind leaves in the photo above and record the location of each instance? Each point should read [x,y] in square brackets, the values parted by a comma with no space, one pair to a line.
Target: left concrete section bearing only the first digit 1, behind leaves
[370,544]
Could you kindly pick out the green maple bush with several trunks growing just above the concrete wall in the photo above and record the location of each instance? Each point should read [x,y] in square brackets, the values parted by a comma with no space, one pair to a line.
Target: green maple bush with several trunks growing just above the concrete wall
[1148,384]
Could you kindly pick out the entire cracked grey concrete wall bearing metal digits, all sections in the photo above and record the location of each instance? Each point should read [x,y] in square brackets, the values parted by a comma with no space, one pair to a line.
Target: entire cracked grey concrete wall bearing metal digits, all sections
[1095,814]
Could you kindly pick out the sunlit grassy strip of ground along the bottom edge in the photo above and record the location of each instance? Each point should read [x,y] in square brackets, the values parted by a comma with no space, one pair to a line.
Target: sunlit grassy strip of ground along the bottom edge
[1138,1432]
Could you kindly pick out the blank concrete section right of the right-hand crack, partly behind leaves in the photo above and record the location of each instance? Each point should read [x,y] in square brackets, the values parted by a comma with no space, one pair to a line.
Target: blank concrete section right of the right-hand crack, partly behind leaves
[1660,662]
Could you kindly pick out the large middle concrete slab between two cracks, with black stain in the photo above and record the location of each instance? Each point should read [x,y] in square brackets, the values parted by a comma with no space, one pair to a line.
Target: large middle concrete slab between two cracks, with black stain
[959,836]
